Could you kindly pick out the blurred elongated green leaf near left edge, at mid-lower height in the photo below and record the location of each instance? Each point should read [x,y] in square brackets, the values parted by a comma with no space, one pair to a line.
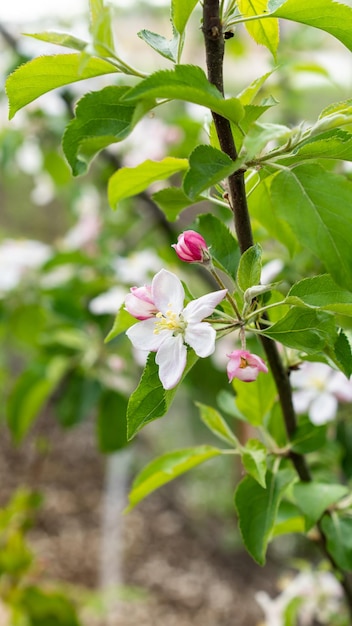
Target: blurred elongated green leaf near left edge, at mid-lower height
[30,393]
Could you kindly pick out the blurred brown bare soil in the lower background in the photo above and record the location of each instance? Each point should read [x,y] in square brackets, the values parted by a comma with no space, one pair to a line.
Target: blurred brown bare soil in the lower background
[182,574]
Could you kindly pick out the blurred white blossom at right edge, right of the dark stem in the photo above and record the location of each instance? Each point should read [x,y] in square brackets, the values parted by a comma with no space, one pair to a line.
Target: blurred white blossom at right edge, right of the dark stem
[317,391]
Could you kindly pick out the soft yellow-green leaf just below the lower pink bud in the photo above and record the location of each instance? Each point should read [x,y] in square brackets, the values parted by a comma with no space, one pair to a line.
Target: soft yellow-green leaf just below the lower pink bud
[254,400]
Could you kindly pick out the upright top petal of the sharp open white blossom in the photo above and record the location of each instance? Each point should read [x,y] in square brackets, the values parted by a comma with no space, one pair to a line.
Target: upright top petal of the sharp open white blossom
[166,290]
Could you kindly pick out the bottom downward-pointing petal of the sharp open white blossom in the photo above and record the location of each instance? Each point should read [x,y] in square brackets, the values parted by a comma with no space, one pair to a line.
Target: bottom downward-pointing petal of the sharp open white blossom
[171,358]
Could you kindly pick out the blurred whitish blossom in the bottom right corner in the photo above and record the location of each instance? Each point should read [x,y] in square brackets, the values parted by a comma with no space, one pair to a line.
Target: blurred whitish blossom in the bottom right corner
[320,594]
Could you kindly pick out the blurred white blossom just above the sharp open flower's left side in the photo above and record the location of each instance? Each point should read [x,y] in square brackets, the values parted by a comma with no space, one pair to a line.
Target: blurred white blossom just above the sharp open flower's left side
[137,267]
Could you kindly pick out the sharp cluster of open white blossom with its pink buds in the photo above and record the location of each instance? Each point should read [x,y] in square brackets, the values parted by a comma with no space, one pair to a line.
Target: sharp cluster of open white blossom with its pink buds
[167,327]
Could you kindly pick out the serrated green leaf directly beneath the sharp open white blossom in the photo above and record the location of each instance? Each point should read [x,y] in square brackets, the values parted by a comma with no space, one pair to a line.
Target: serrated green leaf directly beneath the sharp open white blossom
[150,400]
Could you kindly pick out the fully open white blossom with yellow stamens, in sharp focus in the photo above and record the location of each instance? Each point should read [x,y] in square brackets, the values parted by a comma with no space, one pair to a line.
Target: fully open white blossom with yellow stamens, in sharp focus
[167,332]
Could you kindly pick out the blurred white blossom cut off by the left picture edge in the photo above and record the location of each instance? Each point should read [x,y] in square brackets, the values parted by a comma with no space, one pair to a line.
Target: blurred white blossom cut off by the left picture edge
[18,257]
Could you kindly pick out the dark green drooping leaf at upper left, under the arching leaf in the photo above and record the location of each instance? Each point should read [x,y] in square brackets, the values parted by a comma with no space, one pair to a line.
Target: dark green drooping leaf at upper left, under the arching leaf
[100,120]
